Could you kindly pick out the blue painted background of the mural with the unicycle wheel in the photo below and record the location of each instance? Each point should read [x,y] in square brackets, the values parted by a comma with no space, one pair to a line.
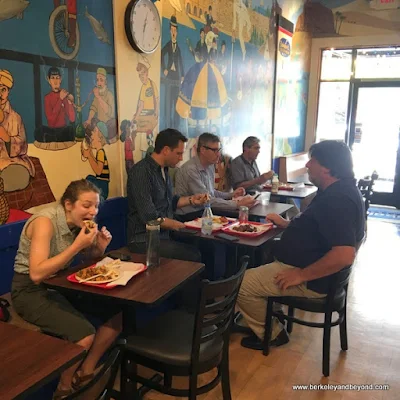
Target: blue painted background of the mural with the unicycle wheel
[31,35]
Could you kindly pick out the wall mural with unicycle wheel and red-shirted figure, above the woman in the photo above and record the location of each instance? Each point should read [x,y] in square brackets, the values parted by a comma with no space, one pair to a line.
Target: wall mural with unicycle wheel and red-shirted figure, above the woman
[57,100]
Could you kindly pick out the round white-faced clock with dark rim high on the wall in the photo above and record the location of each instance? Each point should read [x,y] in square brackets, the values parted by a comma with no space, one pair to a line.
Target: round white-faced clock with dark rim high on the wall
[143,26]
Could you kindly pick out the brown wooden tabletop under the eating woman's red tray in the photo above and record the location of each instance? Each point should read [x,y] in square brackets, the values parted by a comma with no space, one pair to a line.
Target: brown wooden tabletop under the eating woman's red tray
[148,288]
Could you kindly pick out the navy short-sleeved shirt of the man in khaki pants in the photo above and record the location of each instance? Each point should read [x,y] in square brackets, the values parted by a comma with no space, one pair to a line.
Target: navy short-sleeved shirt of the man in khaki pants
[335,217]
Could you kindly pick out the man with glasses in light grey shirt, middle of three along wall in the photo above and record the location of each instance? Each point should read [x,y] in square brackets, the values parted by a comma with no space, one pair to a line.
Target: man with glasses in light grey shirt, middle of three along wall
[198,176]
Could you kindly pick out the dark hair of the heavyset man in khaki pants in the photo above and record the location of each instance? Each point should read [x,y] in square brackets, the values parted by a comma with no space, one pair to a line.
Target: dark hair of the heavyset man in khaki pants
[334,155]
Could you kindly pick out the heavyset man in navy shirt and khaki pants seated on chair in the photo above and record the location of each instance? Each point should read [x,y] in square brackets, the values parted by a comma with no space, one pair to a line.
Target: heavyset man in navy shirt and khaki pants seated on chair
[316,244]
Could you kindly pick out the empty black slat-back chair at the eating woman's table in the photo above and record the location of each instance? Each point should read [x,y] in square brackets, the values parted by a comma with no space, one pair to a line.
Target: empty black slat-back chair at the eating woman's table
[182,344]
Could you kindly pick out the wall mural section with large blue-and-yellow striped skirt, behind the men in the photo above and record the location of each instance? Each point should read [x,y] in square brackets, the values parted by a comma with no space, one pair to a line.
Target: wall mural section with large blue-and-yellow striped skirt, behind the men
[217,72]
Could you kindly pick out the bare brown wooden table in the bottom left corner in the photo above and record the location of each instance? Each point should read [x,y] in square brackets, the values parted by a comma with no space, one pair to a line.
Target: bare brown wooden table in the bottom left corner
[29,360]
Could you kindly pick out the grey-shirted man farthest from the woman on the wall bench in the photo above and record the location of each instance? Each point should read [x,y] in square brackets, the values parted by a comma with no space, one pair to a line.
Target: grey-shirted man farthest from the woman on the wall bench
[244,168]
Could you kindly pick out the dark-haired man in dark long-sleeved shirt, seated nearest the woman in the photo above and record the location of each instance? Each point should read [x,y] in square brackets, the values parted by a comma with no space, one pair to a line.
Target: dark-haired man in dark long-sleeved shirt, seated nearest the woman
[150,197]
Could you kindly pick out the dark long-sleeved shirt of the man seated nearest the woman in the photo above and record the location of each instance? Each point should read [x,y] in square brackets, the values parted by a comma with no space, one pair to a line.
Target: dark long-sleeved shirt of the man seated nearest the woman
[149,197]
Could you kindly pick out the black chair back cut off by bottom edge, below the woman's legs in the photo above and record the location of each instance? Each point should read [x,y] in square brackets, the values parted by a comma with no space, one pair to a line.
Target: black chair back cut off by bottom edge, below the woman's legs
[101,386]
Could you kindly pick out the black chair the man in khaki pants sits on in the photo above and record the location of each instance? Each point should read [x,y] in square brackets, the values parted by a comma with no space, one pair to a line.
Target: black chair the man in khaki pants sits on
[335,301]
